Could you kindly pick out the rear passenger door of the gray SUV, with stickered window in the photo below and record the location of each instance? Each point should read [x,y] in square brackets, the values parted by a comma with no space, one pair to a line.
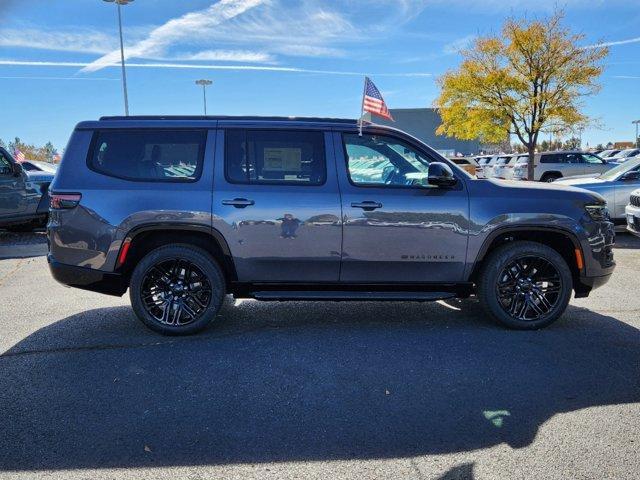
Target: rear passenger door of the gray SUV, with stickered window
[278,230]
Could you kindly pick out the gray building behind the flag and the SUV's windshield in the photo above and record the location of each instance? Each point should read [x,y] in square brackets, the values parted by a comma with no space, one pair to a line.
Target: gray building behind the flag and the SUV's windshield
[422,124]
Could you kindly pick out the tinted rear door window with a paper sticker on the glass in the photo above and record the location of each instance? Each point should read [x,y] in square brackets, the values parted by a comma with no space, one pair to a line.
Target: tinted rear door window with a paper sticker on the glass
[289,157]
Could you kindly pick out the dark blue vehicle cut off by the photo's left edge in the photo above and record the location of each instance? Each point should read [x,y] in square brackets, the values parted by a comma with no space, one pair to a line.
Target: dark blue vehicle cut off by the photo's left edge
[24,199]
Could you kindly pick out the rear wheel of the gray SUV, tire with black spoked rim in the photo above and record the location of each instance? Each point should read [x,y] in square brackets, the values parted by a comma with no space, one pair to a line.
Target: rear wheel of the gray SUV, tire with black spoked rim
[171,301]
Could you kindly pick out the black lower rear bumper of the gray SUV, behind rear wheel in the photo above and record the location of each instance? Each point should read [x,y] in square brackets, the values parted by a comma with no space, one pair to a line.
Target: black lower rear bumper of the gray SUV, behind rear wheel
[88,278]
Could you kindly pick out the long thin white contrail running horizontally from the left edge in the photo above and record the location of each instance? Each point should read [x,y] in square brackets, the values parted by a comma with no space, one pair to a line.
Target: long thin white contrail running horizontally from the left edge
[262,68]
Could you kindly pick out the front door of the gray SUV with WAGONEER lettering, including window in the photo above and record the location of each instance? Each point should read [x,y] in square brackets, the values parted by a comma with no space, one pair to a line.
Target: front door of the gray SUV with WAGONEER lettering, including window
[394,232]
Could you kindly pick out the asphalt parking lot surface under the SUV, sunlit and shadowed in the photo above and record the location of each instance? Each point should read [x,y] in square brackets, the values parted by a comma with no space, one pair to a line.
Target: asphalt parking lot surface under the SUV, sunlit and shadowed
[314,390]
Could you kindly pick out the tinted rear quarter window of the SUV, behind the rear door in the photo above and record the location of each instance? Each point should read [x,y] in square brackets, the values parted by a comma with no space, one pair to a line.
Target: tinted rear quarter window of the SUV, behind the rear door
[148,155]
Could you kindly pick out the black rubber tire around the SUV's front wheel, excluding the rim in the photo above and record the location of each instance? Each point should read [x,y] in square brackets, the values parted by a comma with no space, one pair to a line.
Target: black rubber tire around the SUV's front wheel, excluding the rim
[498,260]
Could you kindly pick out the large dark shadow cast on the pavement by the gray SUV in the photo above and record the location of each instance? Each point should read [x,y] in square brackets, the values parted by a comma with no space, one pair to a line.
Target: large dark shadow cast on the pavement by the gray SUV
[301,381]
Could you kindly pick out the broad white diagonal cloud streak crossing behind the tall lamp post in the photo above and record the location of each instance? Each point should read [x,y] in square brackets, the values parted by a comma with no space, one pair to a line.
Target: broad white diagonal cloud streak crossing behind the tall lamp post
[184,27]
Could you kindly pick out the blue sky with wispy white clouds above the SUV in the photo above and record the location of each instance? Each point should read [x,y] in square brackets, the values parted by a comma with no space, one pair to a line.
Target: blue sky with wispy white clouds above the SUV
[272,57]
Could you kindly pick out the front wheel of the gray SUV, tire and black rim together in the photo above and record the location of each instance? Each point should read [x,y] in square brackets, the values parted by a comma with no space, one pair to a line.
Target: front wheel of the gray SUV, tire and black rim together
[504,289]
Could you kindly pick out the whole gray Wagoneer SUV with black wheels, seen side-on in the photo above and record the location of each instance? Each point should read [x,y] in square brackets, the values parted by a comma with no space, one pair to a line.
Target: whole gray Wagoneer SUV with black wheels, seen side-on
[184,210]
